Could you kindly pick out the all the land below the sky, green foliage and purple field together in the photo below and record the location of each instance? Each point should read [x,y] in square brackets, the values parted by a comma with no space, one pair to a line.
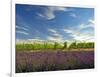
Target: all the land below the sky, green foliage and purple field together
[37,57]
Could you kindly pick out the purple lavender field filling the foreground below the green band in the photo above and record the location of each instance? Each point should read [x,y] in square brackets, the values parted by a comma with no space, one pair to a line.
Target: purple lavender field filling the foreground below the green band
[50,61]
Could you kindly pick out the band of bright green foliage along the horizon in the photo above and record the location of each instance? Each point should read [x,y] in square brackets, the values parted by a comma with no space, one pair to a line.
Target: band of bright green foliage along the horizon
[56,45]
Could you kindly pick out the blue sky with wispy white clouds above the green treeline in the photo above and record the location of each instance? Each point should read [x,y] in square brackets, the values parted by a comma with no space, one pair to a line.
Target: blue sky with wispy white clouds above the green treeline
[54,23]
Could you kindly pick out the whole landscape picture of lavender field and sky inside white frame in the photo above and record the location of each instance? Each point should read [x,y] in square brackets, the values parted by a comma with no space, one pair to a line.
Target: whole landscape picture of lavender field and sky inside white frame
[53,38]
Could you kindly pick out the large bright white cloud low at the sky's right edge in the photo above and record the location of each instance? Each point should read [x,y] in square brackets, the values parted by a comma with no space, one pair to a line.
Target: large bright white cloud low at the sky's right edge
[78,34]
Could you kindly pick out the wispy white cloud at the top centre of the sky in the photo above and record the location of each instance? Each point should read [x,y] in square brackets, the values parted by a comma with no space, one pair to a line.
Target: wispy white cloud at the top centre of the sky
[49,12]
